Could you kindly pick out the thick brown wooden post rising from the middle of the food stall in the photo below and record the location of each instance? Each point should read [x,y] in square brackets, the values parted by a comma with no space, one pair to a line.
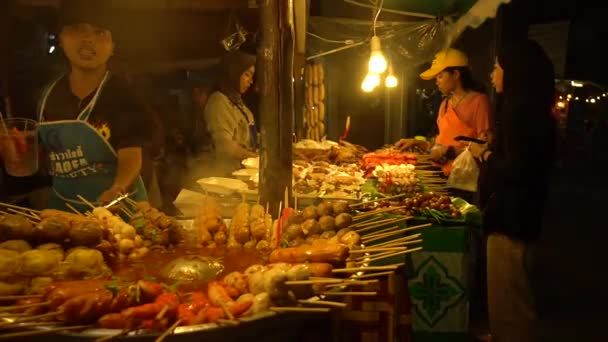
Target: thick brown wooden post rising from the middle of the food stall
[276,105]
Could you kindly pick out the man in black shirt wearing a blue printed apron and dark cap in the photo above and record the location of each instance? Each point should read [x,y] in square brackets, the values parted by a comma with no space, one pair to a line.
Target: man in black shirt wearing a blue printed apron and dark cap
[92,127]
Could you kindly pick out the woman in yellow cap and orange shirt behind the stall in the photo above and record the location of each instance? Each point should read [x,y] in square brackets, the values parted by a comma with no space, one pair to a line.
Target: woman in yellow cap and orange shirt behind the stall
[465,111]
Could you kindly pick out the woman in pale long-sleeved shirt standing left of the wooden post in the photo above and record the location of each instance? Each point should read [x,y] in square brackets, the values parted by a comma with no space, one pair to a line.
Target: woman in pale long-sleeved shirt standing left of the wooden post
[229,122]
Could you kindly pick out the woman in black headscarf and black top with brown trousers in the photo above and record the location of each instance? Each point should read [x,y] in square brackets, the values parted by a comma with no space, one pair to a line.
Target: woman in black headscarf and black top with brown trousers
[516,171]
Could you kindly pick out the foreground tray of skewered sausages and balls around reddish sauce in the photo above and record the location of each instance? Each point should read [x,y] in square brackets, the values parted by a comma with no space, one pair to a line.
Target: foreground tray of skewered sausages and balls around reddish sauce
[184,291]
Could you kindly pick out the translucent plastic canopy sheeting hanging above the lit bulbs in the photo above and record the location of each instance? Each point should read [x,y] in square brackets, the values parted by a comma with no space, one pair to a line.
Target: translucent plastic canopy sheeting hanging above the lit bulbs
[428,27]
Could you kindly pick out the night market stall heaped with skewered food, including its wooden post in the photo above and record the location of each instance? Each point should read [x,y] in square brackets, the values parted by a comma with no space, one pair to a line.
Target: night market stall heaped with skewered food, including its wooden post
[316,227]
